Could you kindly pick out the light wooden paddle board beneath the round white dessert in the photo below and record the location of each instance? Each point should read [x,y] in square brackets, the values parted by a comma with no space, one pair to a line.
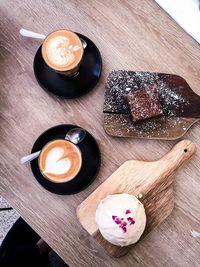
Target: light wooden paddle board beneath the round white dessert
[153,180]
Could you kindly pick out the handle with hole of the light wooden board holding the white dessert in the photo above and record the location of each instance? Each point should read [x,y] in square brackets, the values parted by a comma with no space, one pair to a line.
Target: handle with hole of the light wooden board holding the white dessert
[180,153]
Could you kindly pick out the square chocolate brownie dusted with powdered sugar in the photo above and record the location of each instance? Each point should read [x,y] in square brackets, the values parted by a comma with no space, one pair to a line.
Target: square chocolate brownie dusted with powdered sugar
[144,104]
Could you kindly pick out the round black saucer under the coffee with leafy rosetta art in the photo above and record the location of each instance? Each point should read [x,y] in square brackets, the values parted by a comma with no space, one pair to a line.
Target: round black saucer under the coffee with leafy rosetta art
[89,73]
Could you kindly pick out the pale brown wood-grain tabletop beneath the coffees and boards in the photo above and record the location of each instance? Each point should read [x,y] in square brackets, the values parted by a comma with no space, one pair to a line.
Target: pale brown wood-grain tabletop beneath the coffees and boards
[131,35]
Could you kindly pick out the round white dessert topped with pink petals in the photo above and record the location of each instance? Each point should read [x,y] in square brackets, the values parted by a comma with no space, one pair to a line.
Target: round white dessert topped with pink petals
[121,219]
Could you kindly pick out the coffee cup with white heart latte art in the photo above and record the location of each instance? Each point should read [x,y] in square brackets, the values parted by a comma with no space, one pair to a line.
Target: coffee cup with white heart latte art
[60,161]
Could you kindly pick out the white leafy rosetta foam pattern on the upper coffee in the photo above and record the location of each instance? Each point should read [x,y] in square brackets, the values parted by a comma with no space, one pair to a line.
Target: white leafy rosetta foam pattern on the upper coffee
[61,52]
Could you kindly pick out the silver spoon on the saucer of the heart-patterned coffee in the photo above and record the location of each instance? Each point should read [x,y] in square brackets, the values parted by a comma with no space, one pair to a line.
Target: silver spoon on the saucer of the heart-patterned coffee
[75,135]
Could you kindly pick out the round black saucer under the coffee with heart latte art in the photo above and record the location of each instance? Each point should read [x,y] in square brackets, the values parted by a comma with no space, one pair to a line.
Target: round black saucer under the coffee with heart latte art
[90,161]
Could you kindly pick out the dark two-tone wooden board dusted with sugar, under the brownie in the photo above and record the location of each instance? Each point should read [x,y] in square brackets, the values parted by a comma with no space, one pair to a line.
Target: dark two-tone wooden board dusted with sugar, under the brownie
[181,106]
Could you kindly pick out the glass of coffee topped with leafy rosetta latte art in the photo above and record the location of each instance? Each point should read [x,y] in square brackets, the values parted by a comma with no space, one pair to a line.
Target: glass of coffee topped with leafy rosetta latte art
[62,51]
